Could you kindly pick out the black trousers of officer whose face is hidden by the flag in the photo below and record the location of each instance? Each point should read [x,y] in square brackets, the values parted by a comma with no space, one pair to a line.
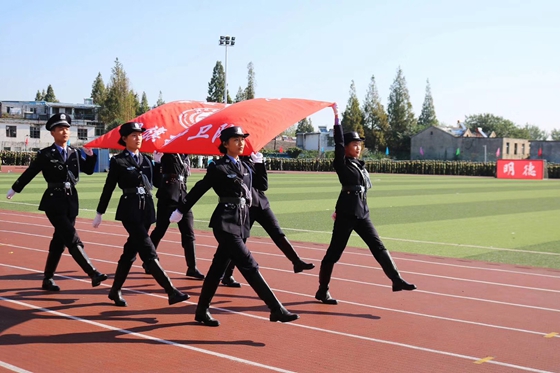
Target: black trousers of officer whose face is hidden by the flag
[186,226]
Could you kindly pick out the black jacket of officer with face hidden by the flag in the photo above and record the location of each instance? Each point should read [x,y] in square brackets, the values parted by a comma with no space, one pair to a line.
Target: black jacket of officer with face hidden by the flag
[169,183]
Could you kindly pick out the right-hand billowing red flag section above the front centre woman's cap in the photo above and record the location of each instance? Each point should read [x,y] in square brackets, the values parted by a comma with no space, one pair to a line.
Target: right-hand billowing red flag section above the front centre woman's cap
[261,118]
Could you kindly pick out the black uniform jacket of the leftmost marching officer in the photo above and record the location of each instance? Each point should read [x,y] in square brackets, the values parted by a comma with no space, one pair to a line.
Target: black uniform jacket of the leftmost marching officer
[56,172]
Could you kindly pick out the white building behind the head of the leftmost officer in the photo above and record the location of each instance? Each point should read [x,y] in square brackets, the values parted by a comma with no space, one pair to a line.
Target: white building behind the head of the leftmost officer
[22,123]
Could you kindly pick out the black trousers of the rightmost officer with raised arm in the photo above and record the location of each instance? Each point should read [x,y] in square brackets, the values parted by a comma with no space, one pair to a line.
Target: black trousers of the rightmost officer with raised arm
[343,227]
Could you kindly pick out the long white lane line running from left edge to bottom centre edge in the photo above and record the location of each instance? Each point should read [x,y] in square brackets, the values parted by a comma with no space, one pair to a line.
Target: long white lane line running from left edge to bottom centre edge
[148,337]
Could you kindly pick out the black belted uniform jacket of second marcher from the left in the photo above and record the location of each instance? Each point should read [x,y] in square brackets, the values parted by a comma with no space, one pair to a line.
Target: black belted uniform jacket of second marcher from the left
[127,174]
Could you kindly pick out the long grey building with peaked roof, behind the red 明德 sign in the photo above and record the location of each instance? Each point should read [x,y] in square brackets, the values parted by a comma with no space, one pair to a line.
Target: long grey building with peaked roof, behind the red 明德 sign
[460,143]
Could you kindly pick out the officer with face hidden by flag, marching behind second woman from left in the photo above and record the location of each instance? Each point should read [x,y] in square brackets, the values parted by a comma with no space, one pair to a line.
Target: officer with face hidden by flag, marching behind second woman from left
[172,188]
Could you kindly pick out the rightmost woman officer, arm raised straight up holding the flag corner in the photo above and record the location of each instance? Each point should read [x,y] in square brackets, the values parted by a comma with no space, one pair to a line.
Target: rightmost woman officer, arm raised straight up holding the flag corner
[352,214]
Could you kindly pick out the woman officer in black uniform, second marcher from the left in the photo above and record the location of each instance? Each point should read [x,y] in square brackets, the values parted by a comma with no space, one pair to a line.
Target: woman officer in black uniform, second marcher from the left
[133,172]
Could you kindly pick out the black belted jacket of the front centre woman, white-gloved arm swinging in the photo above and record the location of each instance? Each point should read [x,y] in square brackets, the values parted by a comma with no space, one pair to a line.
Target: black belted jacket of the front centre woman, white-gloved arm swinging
[228,182]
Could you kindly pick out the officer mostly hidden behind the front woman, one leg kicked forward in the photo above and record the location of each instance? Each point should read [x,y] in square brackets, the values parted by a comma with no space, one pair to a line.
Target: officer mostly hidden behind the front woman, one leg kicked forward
[261,212]
